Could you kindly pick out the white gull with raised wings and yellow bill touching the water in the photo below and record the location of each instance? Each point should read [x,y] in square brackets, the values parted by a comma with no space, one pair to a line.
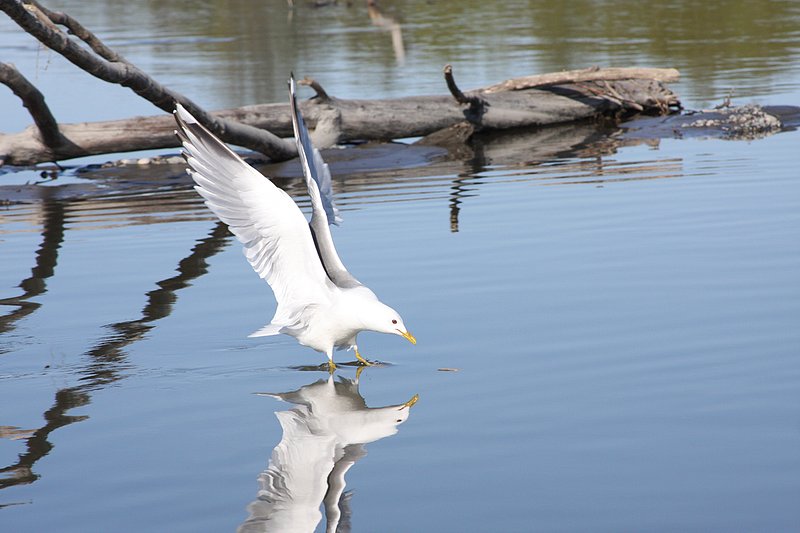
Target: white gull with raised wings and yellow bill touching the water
[320,303]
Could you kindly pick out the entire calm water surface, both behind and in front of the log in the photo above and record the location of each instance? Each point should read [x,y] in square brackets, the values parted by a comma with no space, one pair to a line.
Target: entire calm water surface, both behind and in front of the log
[608,332]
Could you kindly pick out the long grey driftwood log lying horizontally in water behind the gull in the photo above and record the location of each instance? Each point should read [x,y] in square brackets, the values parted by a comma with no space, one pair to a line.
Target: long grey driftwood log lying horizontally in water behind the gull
[335,121]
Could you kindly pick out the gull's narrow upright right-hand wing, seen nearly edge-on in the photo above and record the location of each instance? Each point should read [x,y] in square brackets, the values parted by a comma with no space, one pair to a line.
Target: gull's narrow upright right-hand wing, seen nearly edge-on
[318,181]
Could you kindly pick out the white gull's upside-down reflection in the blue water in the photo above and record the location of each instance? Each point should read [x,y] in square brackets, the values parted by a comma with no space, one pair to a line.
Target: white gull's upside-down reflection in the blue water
[323,436]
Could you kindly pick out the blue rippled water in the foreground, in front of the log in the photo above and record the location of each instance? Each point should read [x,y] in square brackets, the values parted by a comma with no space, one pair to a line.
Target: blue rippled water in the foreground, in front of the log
[605,343]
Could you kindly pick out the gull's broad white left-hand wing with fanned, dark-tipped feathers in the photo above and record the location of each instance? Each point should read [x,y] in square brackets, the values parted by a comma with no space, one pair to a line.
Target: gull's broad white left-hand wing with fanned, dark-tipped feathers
[264,218]
